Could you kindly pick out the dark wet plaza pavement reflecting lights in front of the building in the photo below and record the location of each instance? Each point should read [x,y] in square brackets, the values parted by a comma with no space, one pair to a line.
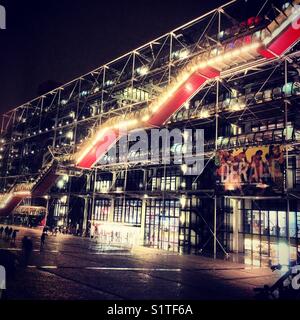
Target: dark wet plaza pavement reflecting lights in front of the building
[73,268]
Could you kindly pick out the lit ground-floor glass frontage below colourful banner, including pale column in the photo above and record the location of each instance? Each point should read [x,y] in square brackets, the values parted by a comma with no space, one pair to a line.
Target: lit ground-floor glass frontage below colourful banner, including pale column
[264,235]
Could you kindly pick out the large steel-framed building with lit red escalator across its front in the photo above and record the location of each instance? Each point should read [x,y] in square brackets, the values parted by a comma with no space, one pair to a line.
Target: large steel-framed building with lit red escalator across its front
[236,78]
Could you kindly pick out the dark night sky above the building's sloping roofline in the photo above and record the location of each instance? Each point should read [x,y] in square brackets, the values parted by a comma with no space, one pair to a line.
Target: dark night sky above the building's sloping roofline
[59,40]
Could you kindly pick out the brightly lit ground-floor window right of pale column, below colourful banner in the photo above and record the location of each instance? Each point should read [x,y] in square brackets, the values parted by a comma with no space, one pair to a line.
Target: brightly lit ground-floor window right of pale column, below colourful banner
[266,232]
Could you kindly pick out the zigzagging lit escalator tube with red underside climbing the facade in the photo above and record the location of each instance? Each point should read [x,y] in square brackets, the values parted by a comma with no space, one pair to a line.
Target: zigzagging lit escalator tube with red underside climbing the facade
[274,41]
